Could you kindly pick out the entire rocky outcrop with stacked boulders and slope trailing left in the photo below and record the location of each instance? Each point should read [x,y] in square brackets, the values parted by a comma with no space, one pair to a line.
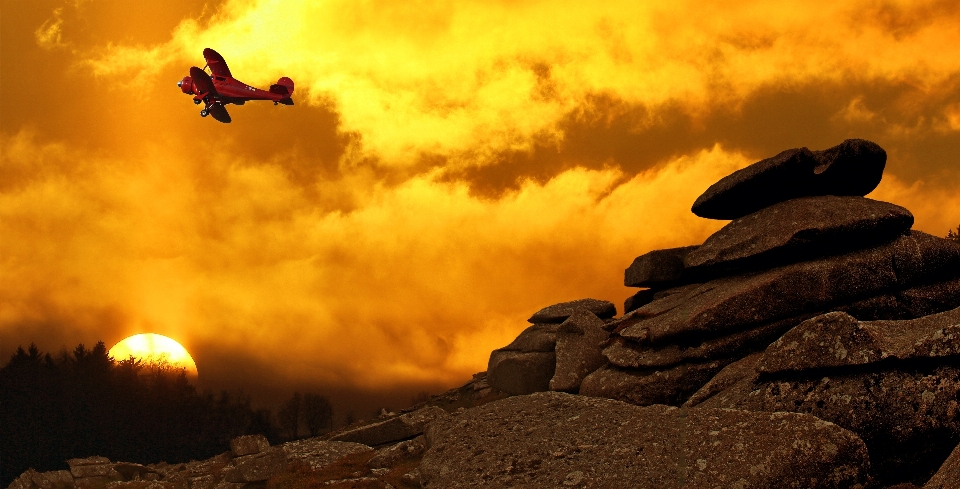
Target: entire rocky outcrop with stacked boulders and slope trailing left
[813,341]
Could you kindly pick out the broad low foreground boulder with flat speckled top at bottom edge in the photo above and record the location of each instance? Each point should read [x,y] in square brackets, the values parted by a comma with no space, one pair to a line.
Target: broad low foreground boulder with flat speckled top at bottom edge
[560,440]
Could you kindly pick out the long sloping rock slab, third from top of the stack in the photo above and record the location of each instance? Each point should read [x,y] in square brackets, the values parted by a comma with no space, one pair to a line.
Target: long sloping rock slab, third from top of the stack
[734,303]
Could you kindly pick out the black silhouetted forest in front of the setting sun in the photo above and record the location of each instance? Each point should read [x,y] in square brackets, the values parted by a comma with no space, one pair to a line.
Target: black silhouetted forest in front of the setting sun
[85,403]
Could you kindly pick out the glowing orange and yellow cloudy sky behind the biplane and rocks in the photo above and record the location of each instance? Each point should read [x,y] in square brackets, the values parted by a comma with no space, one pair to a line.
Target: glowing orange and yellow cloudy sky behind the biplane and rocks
[449,168]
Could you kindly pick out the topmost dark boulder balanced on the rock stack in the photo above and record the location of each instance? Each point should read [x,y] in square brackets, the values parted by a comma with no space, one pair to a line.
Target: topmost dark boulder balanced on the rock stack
[854,167]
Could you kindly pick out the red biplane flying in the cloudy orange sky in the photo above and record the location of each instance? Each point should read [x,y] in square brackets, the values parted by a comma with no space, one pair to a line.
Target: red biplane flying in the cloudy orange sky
[222,88]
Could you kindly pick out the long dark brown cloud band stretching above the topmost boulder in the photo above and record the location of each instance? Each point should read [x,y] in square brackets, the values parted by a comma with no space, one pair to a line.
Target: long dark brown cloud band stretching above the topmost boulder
[606,131]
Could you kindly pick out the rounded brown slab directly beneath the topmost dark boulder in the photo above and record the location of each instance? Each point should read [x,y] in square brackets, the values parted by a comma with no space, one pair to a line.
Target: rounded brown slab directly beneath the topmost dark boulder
[800,229]
